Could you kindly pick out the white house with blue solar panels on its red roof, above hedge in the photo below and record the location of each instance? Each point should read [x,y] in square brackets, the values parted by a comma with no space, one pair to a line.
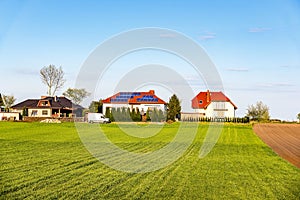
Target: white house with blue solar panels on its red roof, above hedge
[132,100]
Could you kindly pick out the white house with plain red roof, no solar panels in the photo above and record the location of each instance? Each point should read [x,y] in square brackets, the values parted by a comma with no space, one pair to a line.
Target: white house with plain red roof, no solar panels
[213,104]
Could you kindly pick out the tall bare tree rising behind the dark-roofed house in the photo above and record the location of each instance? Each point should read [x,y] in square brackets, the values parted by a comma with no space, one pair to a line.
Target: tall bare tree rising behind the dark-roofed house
[53,77]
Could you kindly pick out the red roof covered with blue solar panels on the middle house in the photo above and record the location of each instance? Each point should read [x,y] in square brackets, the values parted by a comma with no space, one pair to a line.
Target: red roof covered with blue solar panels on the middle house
[134,98]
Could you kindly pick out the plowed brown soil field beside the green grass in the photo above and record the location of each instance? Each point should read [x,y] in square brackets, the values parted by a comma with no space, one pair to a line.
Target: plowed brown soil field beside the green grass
[284,139]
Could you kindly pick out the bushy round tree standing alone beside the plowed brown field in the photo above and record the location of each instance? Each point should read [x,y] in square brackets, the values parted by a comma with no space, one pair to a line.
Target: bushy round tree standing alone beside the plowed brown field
[258,112]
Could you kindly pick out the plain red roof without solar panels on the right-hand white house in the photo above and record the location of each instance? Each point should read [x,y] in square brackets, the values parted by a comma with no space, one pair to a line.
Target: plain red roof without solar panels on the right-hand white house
[203,99]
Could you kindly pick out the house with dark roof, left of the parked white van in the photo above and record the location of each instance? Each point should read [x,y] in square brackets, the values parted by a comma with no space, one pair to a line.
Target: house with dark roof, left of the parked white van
[48,106]
